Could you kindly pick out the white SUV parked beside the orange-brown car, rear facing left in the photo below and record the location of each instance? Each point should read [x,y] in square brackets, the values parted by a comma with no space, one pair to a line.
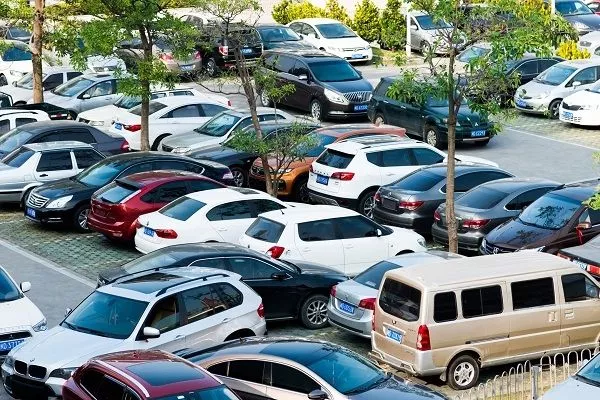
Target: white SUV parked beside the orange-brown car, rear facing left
[349,172]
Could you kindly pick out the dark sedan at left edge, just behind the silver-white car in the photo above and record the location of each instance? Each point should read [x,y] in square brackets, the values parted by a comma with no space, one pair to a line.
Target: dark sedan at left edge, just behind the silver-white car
[58,131]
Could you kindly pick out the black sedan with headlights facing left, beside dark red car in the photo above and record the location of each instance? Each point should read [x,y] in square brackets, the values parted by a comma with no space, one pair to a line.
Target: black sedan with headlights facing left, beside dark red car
[68,200]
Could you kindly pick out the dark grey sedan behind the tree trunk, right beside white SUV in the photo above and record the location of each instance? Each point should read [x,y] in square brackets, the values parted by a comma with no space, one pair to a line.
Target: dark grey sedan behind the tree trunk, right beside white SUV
[411,201]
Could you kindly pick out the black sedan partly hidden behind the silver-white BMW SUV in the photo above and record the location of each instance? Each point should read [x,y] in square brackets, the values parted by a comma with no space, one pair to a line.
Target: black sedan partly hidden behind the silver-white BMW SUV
[289,289]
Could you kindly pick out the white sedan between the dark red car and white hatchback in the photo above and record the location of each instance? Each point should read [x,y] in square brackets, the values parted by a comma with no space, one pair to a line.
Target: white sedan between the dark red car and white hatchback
[216,215]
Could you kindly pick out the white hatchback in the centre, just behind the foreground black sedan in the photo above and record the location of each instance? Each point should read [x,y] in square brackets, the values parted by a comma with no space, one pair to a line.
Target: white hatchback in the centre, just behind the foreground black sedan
[334,236]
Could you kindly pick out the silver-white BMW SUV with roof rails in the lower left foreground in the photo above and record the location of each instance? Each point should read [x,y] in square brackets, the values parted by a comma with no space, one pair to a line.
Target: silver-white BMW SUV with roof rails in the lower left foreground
[168,310]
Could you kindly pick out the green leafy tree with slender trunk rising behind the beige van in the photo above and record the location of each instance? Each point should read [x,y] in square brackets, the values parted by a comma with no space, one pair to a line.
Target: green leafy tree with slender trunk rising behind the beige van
[529,28]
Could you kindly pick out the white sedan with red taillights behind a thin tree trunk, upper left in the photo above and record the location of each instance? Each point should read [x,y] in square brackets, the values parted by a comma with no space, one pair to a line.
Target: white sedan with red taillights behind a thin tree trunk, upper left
[168,116]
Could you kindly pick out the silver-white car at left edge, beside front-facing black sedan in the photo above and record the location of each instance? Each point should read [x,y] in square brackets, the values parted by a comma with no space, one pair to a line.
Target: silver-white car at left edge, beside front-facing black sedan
[34,164]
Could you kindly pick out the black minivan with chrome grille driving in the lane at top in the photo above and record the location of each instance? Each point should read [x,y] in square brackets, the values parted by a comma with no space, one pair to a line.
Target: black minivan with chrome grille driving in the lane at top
[326,86]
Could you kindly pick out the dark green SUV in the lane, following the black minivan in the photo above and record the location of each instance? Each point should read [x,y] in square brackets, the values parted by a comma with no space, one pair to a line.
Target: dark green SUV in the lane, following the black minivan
[429,121]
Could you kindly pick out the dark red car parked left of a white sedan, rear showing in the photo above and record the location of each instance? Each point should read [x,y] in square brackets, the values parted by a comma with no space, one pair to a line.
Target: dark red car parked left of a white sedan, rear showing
[116,206]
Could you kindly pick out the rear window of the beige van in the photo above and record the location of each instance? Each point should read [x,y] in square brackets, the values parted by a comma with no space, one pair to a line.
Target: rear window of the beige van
[400,300]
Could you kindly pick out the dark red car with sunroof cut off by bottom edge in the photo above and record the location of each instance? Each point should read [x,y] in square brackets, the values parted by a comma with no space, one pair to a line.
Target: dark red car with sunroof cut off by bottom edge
[140,375]
